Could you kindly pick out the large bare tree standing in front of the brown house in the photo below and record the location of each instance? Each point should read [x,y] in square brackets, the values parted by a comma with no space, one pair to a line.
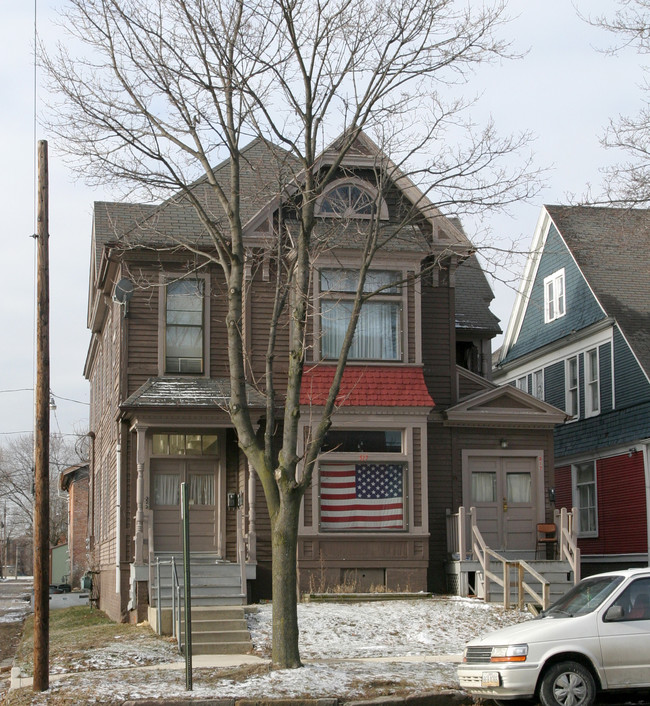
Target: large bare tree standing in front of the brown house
[160,91]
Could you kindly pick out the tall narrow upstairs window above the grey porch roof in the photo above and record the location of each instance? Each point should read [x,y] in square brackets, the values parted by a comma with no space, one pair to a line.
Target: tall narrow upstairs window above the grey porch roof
[184,323]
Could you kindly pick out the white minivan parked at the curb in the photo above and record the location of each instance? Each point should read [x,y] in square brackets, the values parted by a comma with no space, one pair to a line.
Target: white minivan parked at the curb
[595,638]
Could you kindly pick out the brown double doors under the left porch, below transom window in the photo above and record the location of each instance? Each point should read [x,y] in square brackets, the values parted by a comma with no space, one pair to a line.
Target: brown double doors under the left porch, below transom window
[201,478]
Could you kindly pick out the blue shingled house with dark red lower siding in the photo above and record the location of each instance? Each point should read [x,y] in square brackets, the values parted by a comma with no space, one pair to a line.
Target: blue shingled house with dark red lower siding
[579,338]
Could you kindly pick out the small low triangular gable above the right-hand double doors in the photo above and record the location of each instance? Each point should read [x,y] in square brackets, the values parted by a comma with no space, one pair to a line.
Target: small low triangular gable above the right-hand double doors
[504,406]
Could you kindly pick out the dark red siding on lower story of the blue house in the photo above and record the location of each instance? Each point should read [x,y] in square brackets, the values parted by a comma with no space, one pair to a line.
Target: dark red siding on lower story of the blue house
[620,488]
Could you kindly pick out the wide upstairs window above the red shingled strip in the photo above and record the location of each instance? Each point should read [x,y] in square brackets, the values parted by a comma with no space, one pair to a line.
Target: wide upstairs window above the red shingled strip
[378,332]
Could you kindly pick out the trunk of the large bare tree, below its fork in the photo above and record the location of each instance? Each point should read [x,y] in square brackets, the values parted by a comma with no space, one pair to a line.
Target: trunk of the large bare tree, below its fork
[284,651]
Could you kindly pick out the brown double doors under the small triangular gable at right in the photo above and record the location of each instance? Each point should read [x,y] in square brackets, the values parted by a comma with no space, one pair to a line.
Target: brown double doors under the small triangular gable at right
[503,489]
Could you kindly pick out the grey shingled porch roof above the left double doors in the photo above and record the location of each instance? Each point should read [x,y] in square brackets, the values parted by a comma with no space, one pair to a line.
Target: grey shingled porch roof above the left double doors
[188,392]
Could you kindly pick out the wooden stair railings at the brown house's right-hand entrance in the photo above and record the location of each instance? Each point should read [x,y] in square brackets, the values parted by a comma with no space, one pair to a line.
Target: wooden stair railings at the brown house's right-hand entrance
[464,541]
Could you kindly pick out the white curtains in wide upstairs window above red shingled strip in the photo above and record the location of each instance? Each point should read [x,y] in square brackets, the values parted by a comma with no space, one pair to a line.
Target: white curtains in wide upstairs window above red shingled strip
[376,336]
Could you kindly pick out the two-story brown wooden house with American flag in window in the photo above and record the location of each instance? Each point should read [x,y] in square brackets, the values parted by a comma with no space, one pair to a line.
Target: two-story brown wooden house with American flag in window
[418,423]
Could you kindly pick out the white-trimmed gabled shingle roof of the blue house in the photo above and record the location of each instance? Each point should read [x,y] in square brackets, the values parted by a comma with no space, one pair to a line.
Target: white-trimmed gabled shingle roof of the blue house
[611,248]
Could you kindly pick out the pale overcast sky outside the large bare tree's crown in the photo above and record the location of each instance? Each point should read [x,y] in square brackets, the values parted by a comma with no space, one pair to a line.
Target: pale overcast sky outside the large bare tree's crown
[563,90]
